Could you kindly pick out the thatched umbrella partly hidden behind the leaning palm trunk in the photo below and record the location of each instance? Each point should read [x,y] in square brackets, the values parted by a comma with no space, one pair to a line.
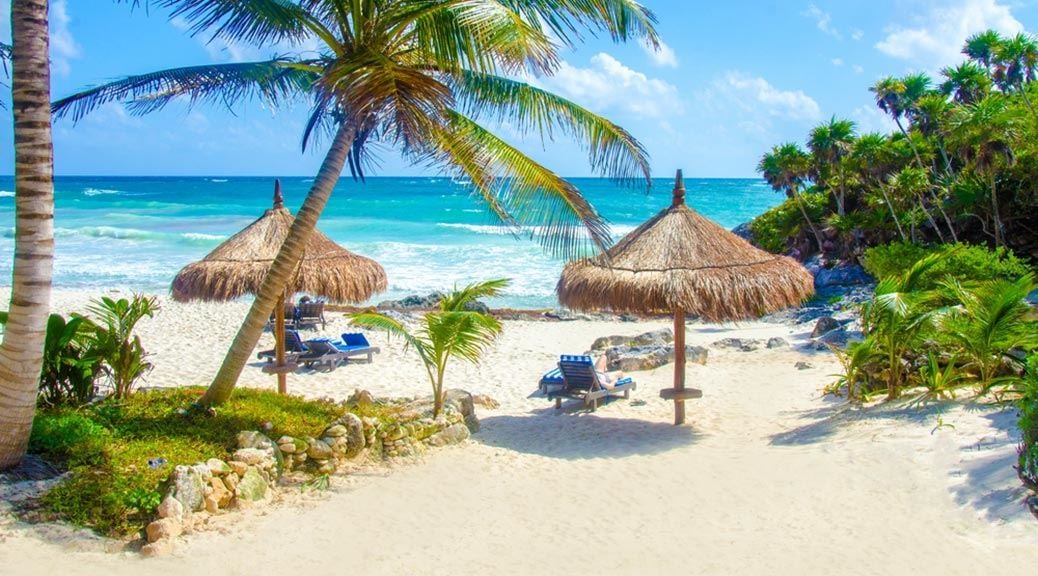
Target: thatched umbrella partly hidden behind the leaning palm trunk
[239,266]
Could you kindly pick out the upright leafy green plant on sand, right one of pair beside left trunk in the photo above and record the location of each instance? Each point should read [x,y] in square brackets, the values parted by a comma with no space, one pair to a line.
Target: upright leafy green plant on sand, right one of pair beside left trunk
[114,342]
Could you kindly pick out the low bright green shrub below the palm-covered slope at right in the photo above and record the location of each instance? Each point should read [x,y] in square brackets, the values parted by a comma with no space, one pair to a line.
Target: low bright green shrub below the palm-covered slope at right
[961,262]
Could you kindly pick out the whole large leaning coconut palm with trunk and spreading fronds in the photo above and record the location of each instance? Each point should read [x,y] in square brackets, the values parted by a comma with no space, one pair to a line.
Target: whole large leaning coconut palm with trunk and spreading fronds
[418,75]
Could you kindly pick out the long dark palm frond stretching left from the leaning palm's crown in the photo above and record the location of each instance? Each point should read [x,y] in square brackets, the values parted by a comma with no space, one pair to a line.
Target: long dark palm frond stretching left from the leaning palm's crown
[275,81]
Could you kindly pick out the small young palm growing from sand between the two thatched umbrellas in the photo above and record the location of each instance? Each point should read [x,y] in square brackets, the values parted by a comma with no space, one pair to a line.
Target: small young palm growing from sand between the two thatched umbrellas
[454,332]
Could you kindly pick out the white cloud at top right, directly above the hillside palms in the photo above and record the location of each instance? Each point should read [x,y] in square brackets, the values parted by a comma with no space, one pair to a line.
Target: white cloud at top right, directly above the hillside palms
[938,40]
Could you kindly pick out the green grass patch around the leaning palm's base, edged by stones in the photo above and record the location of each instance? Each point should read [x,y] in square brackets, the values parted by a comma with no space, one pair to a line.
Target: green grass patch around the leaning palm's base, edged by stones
[108,447]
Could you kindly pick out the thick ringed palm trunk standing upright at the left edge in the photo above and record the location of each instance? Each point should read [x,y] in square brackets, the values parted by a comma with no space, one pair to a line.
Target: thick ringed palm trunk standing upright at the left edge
[22,350]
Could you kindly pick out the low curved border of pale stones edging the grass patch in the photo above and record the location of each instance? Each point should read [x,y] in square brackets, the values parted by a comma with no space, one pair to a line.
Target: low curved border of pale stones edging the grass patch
[254,472]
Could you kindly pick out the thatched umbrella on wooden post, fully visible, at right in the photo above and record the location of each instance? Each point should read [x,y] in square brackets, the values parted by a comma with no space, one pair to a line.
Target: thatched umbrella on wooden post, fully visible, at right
[679,262]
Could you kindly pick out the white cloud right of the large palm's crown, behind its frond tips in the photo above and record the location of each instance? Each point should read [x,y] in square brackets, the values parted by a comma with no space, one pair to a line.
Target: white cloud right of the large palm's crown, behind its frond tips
[609,85]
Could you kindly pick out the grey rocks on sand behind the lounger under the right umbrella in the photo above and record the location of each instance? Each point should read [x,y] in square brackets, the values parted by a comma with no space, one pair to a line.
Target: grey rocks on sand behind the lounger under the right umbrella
[647,351]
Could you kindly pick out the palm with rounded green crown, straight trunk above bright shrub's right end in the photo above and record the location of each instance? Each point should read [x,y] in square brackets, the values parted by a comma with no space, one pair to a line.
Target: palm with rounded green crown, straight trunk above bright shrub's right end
[985,134]
